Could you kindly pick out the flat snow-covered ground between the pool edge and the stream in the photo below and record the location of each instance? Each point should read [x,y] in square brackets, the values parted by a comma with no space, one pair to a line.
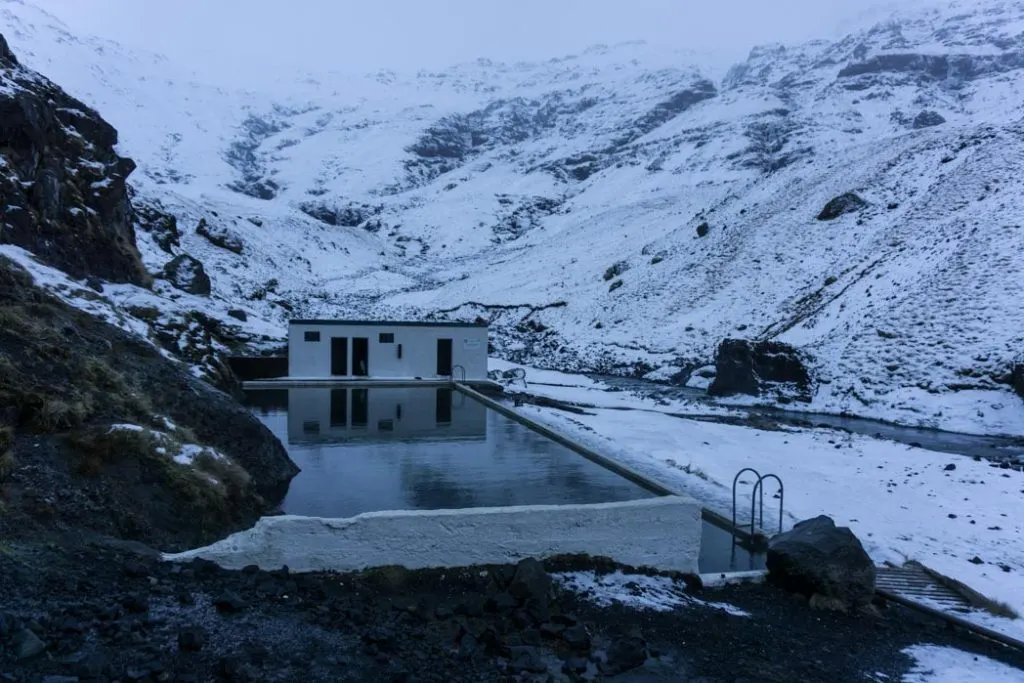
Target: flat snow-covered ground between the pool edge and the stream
[904,503]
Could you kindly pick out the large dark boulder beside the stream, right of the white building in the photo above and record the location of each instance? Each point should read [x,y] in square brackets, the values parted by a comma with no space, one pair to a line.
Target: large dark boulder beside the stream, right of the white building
[760,369]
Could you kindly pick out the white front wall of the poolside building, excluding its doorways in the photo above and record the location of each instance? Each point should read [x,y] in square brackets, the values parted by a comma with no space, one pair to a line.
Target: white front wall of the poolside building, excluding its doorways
[419,351]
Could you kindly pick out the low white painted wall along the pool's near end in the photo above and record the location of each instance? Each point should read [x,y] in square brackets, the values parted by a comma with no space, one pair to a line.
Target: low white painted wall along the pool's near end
[662,534]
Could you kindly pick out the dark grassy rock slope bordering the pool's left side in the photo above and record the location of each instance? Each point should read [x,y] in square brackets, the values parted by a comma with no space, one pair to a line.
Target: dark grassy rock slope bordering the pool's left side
[99,416]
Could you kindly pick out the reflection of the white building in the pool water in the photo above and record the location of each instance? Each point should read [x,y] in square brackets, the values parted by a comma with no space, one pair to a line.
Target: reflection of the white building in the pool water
[346,414]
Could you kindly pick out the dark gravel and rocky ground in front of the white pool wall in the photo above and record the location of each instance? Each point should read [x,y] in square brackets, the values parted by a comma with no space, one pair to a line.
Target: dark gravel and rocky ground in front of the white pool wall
[102,612]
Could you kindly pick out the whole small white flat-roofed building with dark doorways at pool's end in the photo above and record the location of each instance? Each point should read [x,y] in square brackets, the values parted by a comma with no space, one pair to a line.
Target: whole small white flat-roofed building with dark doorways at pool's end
[389,351]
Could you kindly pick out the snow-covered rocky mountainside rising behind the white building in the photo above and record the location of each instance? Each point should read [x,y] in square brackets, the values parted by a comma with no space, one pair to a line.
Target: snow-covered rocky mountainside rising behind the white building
[618,210]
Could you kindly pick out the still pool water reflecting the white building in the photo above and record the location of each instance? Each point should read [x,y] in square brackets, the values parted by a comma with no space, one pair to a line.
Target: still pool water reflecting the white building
[364,450]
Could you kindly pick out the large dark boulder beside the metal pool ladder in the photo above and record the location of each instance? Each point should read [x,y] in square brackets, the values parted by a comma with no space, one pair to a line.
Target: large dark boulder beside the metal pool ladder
[824,563]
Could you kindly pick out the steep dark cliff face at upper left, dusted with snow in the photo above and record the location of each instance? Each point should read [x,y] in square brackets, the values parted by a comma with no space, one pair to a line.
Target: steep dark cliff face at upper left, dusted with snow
[63,191]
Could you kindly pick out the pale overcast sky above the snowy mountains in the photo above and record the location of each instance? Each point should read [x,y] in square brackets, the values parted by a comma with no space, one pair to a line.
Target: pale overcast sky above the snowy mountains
[367,35]
